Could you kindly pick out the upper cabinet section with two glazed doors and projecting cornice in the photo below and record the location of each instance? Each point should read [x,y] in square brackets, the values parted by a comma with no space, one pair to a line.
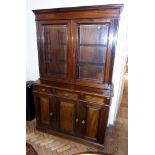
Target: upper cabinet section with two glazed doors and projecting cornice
[77,45]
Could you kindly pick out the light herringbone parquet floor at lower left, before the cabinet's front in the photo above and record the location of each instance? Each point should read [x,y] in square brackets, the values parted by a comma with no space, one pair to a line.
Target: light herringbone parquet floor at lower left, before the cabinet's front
[47,144]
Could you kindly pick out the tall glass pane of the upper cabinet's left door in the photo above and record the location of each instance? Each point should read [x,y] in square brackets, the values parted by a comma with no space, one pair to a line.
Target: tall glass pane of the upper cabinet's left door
[56,47]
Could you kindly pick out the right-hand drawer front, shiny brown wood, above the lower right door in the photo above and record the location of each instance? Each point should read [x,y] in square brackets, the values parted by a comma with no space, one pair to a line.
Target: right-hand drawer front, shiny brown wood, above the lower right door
[90,98]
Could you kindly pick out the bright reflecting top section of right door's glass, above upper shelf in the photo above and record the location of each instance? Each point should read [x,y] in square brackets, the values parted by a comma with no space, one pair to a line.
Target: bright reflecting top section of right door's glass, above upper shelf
[93,34]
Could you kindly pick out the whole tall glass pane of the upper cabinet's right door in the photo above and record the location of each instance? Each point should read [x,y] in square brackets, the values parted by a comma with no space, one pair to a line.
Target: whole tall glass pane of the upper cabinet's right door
[92,48]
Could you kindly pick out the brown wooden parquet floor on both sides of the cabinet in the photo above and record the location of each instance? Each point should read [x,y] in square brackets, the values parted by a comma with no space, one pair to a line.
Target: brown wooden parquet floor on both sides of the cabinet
[116,141]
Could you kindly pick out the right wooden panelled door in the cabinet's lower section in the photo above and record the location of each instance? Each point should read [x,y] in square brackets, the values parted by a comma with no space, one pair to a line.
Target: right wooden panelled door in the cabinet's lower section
[91,121]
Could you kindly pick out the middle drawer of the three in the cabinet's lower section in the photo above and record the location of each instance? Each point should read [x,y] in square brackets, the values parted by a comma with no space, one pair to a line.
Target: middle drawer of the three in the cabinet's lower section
[66,94]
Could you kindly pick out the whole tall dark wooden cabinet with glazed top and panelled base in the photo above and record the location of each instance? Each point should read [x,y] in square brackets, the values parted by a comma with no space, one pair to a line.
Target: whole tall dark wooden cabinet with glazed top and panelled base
[76,50]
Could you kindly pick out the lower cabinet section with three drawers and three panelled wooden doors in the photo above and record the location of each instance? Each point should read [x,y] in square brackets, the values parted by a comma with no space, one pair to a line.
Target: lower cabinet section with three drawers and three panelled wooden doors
[79,116]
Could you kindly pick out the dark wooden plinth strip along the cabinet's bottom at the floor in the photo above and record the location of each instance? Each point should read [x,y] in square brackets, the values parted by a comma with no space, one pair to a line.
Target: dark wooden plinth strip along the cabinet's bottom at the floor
[77,139]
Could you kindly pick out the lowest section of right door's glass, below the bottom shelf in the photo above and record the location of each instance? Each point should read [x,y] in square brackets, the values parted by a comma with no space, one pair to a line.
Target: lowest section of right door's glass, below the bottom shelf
[92,73]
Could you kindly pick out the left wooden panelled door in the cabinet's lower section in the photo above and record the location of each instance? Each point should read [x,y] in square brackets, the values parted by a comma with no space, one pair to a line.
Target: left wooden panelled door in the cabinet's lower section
[44,108]
